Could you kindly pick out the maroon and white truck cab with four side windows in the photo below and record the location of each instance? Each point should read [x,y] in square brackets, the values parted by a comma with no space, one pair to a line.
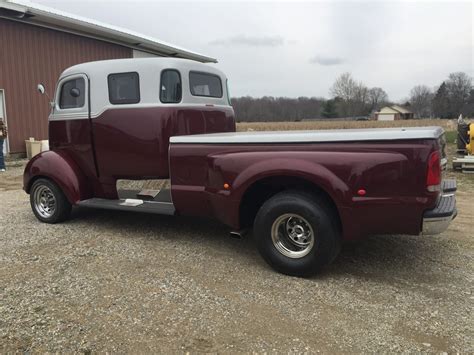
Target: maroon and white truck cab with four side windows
[115,118]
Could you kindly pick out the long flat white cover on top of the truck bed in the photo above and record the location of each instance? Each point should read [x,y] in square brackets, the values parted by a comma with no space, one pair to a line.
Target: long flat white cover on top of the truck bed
[339,135]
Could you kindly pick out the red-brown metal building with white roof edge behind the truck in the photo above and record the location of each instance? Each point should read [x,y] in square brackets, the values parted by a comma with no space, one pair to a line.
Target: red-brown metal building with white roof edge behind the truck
[37,43]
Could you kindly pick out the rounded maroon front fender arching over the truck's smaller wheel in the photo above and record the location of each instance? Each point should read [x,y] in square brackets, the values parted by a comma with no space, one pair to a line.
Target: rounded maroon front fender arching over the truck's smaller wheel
[61,169]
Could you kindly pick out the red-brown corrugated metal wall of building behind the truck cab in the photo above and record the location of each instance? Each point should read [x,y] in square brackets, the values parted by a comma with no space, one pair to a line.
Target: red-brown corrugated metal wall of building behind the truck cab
[30,55]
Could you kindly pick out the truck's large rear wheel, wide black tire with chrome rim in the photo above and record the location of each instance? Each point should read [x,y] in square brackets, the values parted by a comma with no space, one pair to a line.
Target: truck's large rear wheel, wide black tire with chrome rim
[314,216]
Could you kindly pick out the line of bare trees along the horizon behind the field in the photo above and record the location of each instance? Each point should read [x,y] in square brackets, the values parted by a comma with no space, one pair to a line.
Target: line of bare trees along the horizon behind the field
[351,99]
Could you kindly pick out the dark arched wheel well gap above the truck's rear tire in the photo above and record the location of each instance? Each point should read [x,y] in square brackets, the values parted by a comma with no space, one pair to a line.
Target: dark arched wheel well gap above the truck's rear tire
[262,190]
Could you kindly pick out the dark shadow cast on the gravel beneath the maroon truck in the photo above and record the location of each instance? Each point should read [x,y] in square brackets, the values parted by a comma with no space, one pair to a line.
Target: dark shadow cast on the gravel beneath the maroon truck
[381,258]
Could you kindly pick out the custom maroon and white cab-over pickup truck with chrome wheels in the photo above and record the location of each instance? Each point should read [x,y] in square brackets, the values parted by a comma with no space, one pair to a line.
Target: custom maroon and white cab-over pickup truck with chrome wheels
[303,192]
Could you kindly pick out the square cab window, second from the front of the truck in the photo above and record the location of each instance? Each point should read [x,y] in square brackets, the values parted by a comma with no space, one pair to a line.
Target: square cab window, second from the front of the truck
[124,88]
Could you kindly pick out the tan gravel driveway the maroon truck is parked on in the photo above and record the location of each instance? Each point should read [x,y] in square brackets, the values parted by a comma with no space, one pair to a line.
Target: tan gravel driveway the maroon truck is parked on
[116,281]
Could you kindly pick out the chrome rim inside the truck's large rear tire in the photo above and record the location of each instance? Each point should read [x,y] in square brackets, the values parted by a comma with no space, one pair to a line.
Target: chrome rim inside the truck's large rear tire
[292,235]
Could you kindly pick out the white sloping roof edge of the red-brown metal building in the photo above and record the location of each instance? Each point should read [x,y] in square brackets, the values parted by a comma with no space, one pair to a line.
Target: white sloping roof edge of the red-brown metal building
[35,14]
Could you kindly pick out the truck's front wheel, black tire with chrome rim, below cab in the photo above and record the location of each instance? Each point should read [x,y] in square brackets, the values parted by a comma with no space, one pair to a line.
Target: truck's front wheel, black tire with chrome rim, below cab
[62,207]
